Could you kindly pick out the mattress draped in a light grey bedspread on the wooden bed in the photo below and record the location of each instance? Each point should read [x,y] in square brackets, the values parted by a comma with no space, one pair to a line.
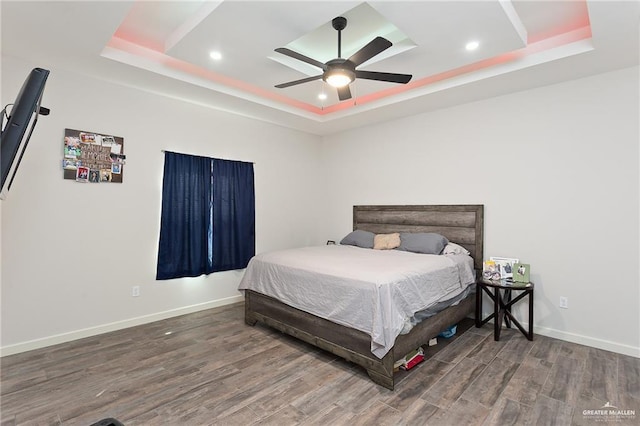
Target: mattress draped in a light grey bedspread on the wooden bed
[375,291]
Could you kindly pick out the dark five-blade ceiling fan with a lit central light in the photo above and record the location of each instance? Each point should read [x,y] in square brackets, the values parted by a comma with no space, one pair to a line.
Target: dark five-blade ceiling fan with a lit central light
[340,72]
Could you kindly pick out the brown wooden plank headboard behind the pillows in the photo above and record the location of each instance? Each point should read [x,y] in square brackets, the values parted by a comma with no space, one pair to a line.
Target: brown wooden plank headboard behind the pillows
[461,224]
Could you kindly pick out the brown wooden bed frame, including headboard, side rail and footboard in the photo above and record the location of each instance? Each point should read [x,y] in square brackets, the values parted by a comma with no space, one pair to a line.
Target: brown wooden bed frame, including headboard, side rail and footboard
[461,224]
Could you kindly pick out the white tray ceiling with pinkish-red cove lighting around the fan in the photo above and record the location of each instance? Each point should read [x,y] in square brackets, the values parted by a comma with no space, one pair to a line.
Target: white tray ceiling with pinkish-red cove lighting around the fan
[164,46]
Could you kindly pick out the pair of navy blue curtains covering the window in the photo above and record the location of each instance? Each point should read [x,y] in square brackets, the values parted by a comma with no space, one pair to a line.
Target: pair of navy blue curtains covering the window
[208,216]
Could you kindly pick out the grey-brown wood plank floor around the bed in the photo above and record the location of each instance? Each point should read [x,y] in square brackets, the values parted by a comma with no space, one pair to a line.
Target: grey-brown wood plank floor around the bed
[209,368]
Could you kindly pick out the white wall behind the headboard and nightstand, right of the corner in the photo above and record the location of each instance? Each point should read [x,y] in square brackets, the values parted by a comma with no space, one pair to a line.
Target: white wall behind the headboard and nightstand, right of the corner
[557,171]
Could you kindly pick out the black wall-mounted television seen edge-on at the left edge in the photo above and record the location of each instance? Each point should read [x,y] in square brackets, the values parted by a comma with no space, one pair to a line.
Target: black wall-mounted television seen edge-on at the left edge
[21,120]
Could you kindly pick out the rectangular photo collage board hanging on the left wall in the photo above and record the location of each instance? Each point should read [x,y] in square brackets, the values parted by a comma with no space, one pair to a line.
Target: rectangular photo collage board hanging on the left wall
[93,157]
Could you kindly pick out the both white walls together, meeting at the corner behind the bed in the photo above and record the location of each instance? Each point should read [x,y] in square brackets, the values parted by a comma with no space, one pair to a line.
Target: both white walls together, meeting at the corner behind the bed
[555,167]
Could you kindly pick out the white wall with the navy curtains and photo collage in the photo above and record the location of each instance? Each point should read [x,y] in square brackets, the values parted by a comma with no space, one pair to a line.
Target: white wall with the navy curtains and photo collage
[71,252]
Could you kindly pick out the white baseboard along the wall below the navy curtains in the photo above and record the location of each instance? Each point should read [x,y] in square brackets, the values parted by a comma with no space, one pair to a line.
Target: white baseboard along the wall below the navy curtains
[118,325]
